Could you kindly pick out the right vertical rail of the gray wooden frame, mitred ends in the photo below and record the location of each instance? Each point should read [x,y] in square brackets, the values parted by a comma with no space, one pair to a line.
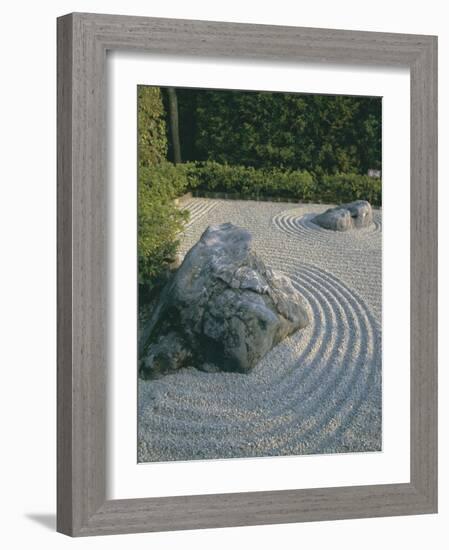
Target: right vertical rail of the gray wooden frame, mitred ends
[423,274]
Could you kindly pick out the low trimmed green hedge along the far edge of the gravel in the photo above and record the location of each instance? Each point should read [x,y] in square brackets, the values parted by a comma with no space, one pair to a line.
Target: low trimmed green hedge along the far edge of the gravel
[249,182]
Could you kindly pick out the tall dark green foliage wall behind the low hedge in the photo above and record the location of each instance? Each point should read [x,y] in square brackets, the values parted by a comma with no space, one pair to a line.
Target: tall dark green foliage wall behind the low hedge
[323,134]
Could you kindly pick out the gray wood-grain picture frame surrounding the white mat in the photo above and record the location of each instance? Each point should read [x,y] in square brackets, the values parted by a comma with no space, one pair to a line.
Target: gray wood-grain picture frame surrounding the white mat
[83,40]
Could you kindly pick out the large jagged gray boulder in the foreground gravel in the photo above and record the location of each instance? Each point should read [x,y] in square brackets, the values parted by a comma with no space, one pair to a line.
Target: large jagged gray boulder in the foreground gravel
[224,309]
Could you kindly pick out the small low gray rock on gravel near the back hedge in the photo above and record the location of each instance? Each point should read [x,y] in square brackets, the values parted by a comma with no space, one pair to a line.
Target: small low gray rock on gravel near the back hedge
[352,215]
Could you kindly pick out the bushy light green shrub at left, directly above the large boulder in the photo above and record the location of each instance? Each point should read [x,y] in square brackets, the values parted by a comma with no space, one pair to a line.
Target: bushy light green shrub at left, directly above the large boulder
[159,220]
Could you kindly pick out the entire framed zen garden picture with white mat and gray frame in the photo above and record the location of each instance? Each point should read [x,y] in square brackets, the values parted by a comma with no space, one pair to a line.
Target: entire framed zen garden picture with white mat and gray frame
[238,341]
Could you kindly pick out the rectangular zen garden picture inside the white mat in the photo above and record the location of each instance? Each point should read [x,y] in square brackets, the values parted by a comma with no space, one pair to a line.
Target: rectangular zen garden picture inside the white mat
[259,299]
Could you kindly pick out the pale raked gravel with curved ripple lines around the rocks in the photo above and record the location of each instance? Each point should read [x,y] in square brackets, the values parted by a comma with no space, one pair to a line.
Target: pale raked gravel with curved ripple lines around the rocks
[319,391]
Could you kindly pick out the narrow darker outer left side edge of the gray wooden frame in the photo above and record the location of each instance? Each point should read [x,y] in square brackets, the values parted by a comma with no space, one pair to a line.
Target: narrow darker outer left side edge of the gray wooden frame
[64,277]
